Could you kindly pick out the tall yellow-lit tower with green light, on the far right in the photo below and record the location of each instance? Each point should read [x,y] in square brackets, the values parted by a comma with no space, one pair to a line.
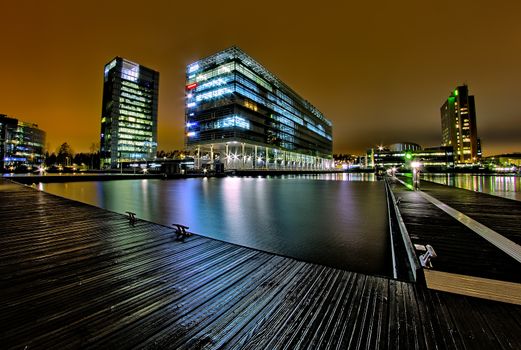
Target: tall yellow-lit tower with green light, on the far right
[458,125]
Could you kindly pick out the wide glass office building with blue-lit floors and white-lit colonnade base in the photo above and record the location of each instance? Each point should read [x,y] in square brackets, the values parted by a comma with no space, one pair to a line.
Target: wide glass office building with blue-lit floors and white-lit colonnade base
[240,115]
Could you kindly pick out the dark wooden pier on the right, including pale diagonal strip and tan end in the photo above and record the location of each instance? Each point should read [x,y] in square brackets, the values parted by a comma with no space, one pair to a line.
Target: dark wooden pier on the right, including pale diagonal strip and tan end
[468,260]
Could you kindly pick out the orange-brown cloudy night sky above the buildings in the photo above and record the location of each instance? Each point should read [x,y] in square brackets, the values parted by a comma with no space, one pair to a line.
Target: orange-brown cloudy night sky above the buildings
[379,70]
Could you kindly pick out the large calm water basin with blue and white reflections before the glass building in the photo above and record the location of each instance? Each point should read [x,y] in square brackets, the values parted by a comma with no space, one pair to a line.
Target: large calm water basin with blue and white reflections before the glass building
[335,220]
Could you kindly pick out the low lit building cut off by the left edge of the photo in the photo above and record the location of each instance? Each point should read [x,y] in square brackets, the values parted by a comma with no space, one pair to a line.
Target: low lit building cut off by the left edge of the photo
[21,144]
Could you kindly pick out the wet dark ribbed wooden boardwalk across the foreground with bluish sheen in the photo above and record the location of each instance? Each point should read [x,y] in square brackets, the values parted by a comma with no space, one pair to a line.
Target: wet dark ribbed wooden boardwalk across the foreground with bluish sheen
[76,276]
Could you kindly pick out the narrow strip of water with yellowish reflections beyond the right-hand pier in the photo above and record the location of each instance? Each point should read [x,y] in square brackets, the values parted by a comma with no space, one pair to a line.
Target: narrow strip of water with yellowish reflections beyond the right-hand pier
[508,186]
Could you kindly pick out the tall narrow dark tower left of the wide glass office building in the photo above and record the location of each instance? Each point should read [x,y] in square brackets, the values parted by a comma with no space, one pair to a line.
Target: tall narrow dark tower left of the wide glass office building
[129,113]
